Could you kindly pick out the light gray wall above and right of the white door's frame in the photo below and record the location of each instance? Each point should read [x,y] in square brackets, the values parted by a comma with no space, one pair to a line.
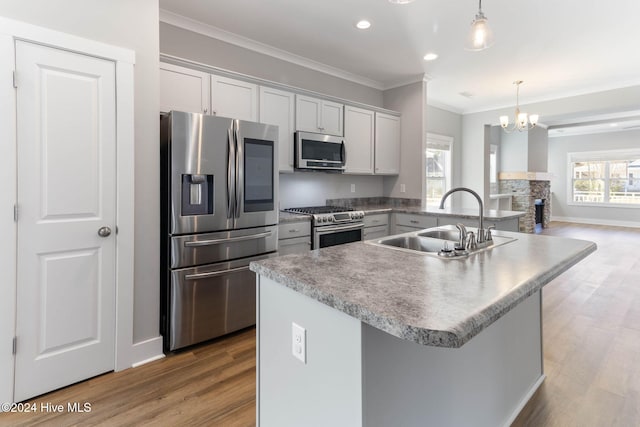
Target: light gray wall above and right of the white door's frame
[133,25]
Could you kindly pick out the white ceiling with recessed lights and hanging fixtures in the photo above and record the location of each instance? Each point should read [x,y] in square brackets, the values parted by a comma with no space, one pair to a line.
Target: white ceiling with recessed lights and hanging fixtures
[558,47]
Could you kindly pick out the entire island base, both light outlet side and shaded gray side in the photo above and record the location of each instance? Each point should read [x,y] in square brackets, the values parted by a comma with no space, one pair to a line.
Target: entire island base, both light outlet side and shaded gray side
[357,375]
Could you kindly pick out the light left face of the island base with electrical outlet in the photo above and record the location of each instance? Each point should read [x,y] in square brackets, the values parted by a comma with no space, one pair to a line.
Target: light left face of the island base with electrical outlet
[324,391]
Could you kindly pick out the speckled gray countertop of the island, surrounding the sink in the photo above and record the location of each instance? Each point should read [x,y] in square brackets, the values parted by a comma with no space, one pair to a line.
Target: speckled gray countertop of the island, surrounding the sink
[421,298]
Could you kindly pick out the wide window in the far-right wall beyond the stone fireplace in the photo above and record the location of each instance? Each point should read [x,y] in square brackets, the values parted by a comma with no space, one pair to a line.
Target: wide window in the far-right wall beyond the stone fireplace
[605,178]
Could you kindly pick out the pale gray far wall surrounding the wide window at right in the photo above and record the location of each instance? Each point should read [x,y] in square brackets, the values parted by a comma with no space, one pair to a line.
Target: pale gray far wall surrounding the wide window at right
[558,164]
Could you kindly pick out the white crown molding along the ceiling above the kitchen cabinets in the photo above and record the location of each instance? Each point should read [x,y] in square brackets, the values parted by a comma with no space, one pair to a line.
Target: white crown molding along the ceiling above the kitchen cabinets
[214,32]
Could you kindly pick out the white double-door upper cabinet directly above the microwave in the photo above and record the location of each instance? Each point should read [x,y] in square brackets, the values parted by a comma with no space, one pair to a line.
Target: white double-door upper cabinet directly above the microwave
[319,116]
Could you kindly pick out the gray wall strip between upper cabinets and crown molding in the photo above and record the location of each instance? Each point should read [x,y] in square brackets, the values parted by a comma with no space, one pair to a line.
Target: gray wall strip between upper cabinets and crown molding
[206,50]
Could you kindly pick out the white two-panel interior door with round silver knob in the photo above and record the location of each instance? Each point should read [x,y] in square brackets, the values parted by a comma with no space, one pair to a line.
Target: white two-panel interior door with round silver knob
[66,126]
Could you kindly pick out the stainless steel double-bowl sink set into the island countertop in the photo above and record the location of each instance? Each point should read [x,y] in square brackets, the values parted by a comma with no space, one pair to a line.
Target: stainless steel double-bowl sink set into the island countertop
[439,242]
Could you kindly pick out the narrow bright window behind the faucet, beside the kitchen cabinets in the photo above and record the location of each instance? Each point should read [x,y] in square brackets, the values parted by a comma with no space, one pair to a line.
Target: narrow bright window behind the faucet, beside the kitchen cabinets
[438,167]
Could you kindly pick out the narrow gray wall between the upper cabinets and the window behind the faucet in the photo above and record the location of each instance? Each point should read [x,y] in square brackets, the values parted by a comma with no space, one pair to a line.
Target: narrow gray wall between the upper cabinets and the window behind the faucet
[410,100]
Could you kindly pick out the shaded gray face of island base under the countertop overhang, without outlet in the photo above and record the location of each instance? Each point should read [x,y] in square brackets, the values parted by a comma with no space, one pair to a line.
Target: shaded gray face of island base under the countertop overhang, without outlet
[486,382]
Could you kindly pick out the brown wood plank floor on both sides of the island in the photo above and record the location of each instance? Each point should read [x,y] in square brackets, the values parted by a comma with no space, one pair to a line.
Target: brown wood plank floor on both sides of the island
[591,355]
